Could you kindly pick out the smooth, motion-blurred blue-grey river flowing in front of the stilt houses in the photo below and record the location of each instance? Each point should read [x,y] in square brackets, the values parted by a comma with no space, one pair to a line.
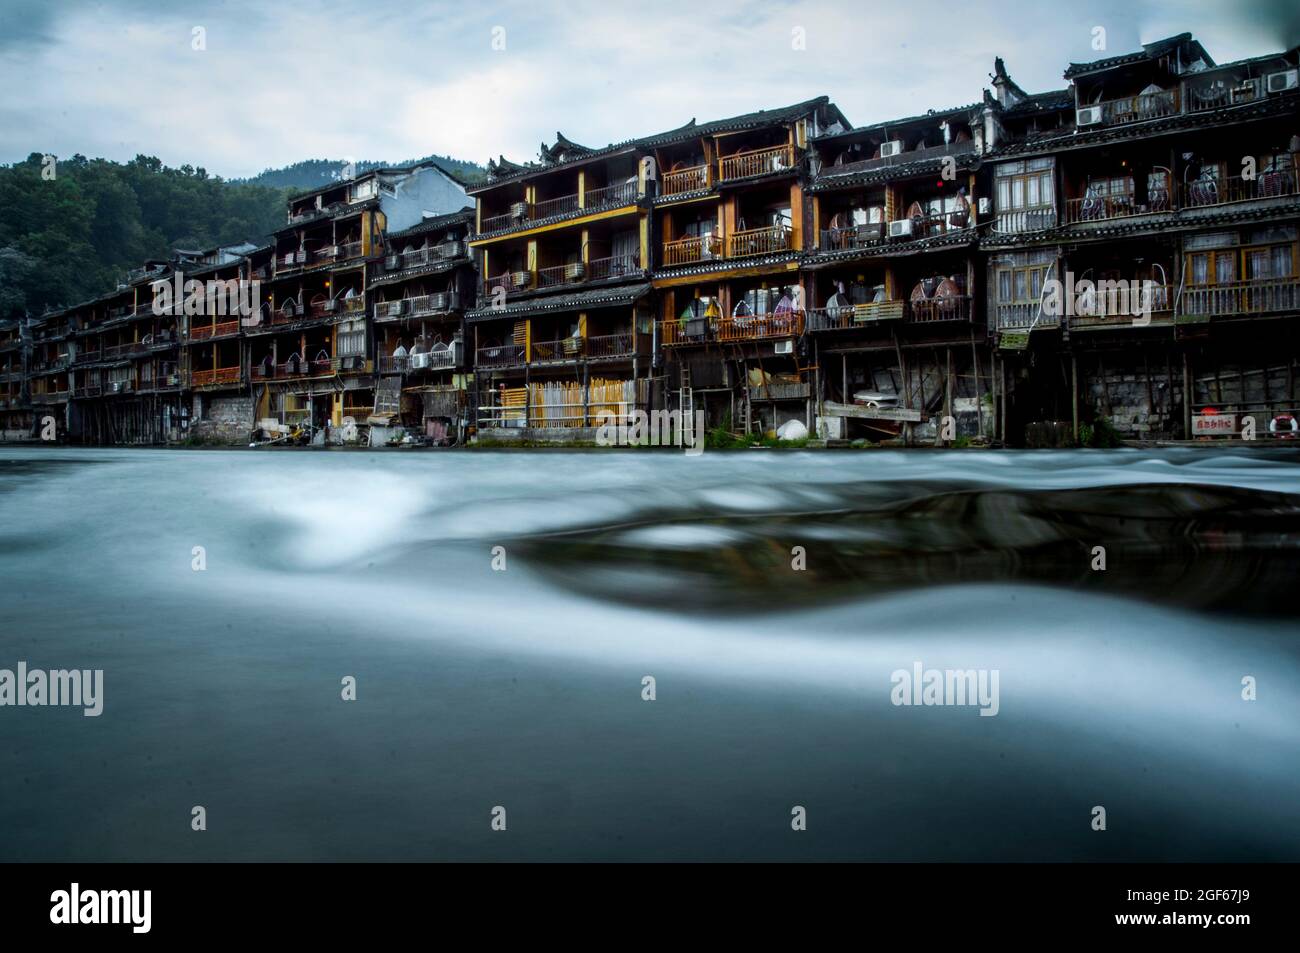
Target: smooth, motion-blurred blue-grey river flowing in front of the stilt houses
[514,677]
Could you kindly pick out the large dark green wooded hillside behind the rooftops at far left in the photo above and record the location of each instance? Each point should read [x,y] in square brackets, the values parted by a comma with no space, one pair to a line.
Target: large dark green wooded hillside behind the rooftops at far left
[68,239]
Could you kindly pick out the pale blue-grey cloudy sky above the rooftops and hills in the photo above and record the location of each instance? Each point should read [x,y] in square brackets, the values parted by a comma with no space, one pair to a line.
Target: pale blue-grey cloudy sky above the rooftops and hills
[280,81]
